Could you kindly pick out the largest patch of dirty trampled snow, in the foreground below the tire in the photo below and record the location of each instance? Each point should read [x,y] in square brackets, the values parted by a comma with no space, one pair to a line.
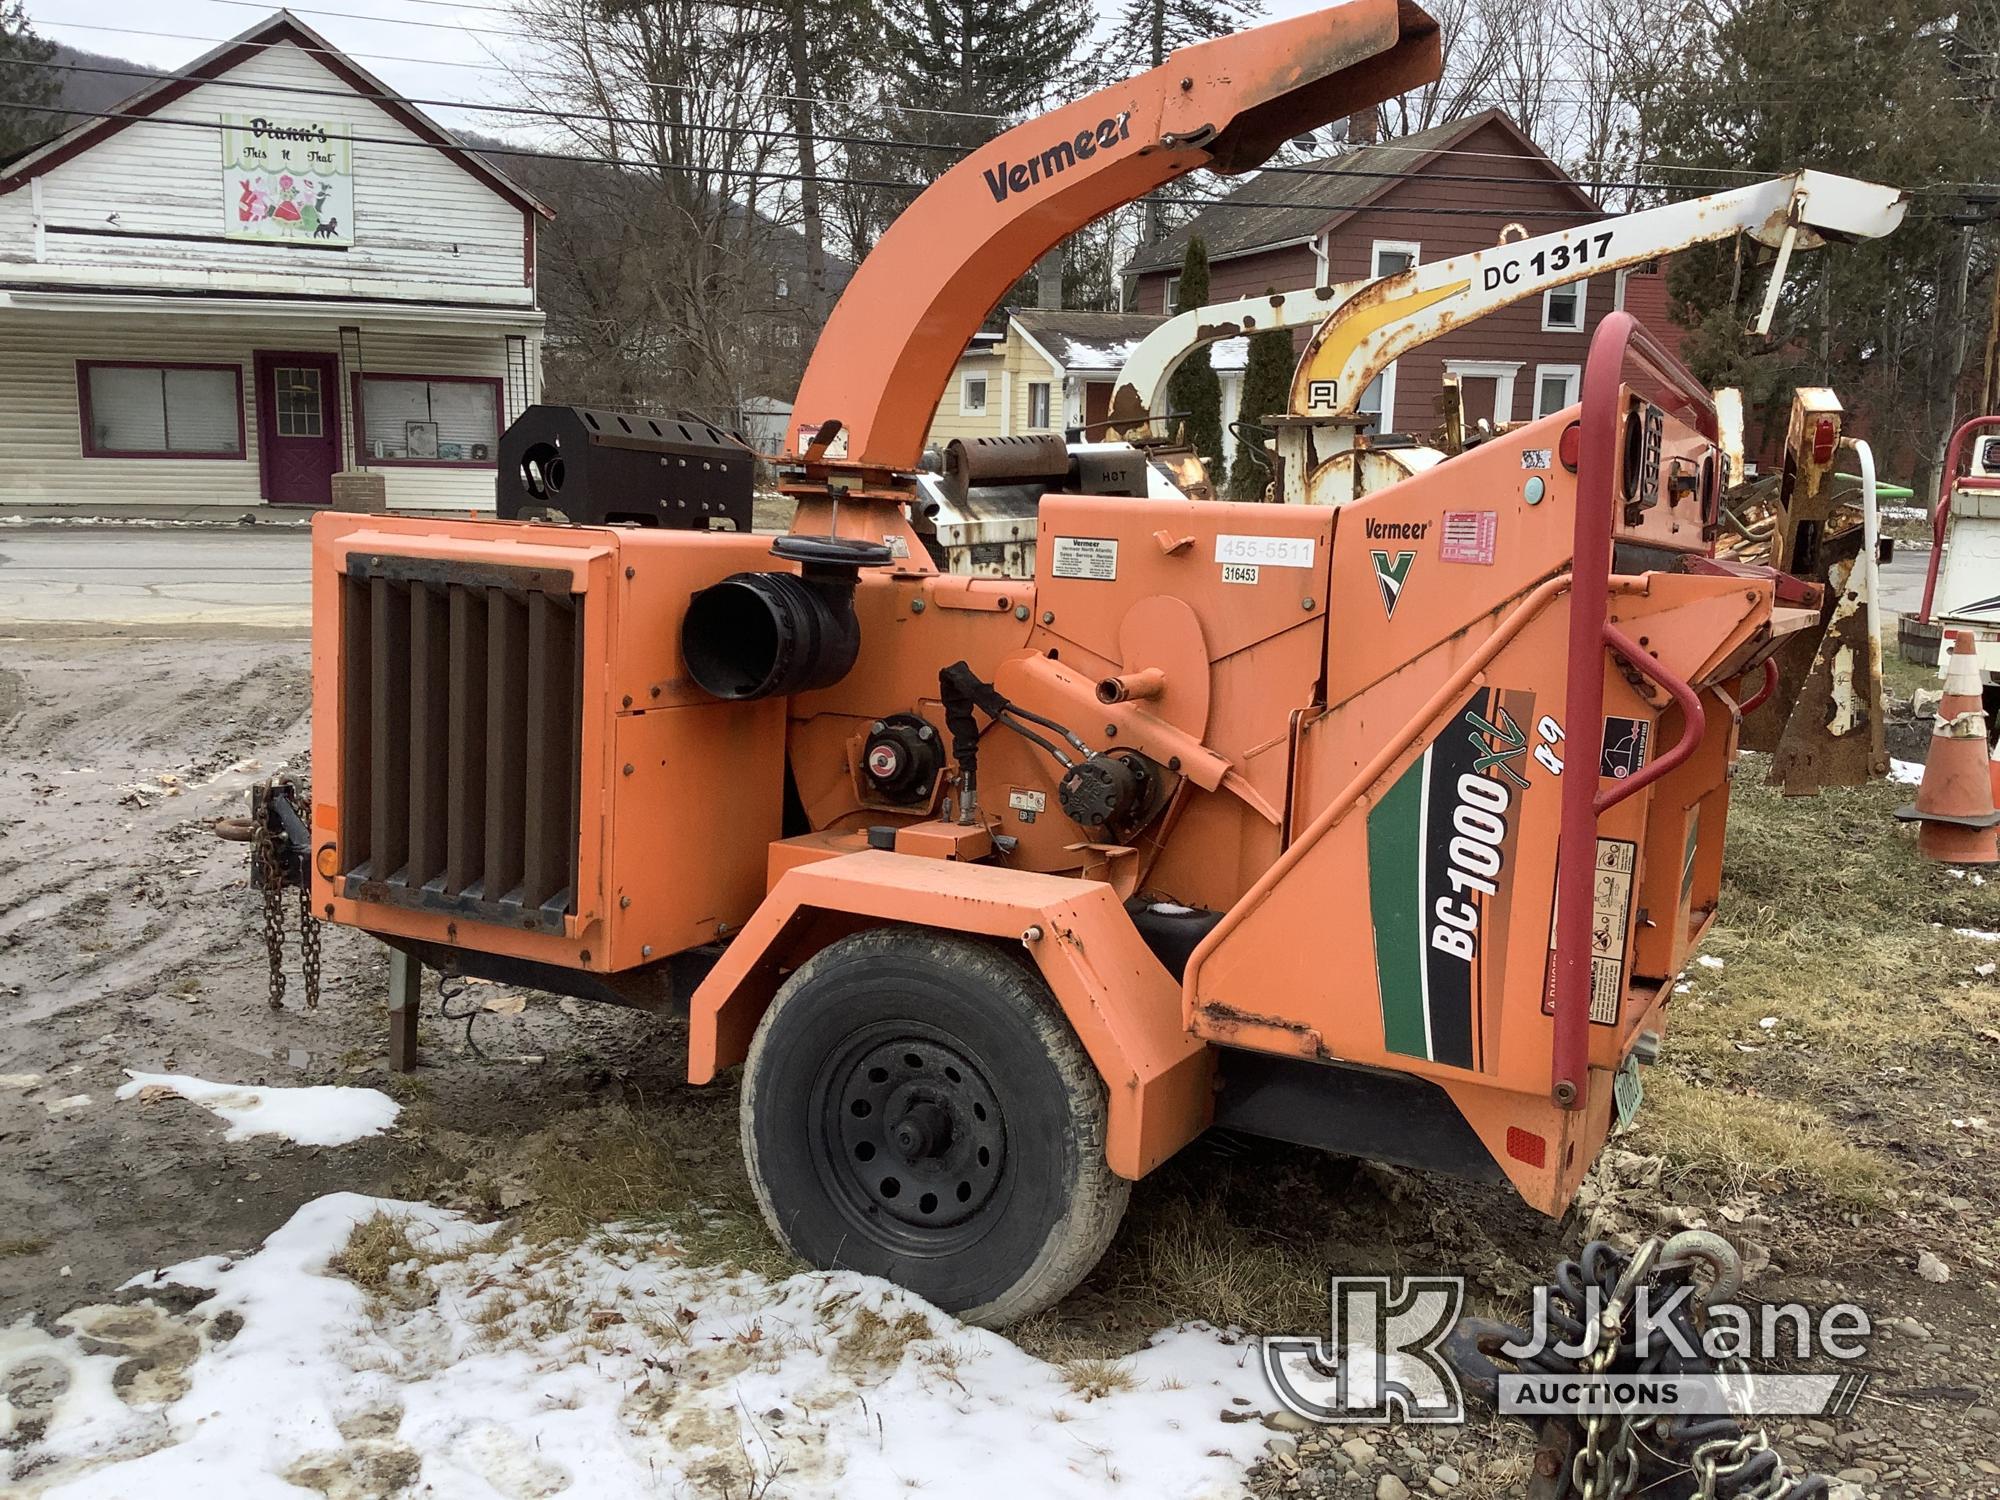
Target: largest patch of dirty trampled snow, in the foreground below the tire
[621,1371]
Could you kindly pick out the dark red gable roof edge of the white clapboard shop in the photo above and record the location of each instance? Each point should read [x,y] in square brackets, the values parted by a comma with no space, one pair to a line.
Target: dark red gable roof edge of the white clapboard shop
[211,67]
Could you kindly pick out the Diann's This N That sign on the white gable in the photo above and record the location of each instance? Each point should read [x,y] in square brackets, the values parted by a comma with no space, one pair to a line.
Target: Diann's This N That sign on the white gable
[287,179]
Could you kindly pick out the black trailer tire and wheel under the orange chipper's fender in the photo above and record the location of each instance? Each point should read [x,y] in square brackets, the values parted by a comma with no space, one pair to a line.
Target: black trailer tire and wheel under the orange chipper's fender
[917,1107]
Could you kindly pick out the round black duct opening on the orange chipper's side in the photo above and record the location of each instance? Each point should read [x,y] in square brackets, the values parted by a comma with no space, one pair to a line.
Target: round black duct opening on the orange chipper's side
[769,635]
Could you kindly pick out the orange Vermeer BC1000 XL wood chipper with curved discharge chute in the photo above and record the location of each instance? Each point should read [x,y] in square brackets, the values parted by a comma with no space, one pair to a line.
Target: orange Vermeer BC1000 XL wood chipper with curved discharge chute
[1377,827]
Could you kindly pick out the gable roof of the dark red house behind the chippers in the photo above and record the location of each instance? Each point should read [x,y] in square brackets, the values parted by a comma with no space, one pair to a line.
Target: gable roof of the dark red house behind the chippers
[1309,205]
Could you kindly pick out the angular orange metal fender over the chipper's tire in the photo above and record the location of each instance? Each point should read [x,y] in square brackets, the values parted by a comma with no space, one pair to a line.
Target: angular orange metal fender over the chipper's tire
[1119,999]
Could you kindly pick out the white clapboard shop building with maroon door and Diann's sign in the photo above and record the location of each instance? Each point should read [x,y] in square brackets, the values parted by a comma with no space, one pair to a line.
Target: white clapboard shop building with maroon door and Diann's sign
[255,277]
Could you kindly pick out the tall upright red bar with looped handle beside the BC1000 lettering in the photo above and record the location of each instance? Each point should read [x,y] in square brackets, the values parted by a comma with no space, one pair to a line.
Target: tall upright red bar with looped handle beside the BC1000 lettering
[1619,343]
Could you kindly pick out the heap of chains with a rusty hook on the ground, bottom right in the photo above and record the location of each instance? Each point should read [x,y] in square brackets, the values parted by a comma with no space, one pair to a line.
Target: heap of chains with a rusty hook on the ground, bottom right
[1591,1299]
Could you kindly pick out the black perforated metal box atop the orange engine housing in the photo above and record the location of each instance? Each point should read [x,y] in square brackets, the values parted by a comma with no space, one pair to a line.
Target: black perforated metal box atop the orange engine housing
[597,469]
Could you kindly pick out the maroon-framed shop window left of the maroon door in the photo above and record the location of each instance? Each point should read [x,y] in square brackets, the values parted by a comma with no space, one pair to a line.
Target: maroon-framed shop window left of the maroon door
[161,411]
